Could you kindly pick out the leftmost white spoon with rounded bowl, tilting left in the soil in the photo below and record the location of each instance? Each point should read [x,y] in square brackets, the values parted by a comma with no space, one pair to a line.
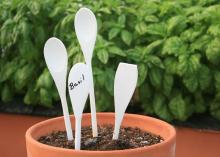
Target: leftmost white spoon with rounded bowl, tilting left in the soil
[56,59]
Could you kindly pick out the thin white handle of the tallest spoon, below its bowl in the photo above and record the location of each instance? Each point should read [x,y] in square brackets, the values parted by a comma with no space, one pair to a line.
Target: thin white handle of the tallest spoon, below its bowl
[92,103]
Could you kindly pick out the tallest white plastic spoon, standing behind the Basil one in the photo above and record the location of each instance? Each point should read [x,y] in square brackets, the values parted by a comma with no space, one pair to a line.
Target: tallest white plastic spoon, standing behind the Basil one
[86,31]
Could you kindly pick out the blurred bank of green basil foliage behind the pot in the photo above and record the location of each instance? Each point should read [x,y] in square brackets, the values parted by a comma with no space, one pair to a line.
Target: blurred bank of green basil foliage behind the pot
[175,43]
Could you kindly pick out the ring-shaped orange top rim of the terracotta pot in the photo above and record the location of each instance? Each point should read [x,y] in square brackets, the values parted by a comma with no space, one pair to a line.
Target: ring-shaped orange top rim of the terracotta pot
[171,138]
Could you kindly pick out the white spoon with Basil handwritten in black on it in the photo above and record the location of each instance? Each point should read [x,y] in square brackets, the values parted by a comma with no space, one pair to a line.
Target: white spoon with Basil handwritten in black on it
[78,90]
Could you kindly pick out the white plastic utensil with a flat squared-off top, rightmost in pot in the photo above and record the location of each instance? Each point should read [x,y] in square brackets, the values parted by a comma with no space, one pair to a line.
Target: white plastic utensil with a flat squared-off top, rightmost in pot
[124,86]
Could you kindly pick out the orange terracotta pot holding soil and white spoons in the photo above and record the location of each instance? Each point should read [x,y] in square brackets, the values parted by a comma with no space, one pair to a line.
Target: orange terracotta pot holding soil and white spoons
[163,149]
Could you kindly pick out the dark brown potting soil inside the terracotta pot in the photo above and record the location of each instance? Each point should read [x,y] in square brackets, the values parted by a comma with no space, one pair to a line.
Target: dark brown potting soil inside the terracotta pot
[129,138]
